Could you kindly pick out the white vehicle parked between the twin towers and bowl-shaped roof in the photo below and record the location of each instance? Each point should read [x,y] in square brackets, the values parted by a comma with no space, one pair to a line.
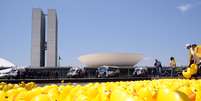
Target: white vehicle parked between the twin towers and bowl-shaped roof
[76,72]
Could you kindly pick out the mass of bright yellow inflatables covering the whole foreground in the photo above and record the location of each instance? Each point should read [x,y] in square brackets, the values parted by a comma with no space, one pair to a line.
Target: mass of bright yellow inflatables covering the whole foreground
[146,90]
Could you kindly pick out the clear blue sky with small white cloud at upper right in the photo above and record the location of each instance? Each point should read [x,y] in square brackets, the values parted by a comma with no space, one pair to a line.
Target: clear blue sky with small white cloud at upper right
[157,28]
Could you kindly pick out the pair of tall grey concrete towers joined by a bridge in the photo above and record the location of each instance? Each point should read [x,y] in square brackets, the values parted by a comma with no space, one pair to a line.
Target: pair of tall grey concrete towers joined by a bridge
[44,38]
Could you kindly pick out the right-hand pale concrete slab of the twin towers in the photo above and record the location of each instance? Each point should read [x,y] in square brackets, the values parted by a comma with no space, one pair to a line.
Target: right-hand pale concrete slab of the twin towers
[52,38]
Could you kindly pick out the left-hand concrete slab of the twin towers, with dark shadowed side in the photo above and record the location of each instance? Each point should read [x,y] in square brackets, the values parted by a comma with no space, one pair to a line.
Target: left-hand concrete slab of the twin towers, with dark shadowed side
[38,38]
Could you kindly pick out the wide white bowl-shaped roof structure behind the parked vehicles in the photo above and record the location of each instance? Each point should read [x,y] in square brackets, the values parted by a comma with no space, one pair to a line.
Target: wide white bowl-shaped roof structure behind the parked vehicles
[117,59]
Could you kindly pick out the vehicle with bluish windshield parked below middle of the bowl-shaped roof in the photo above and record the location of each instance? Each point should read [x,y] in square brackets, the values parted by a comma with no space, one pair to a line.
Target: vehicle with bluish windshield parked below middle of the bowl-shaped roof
[107,71]
